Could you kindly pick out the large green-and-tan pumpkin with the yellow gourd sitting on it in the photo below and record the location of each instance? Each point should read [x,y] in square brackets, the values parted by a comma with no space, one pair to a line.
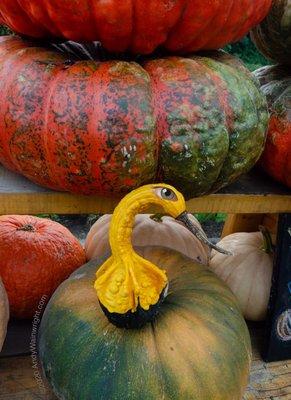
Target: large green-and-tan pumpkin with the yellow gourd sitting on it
[197,348]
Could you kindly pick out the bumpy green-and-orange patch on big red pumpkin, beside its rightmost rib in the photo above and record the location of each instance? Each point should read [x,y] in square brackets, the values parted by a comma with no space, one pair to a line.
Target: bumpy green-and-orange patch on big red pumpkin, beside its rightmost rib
[192,156]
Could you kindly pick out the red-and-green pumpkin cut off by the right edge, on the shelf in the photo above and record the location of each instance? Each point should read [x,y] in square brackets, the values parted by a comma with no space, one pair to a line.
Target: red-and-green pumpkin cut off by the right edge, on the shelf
[276,159]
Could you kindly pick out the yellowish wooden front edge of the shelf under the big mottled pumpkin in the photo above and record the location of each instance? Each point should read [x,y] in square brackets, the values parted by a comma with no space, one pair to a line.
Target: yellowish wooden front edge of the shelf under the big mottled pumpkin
[63,203]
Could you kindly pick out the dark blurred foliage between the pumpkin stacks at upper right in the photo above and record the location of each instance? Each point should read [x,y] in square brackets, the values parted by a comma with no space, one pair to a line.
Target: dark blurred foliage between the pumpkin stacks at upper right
[247,51]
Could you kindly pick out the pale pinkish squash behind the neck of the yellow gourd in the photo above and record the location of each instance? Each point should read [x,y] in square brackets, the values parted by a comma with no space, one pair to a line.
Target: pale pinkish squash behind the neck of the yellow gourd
[164,231]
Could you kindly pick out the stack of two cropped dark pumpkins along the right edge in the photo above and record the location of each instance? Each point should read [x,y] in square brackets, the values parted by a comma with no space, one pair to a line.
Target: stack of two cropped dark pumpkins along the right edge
[273,39]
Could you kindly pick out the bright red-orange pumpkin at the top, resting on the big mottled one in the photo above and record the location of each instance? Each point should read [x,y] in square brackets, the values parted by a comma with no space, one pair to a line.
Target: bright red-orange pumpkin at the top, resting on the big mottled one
[137,25]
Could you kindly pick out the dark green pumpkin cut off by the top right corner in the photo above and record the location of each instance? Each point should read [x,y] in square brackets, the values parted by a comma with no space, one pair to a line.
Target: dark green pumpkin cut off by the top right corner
[273,35]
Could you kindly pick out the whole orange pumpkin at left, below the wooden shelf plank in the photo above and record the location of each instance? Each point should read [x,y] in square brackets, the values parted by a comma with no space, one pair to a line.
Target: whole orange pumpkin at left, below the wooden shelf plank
[36,255]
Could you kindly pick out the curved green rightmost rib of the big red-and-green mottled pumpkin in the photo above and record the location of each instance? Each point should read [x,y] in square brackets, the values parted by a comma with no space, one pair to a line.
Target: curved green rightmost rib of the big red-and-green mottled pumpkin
[247,132]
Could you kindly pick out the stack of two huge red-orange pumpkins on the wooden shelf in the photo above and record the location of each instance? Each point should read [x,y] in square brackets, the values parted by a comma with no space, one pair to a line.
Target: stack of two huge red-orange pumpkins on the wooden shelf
[70,122]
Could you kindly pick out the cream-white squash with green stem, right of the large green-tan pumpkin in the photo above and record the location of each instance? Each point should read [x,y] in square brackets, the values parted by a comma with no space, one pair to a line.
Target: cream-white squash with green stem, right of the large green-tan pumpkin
[248,272]
